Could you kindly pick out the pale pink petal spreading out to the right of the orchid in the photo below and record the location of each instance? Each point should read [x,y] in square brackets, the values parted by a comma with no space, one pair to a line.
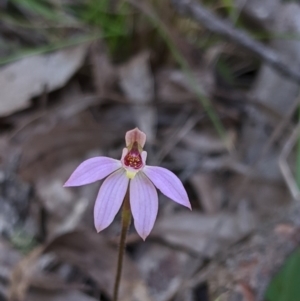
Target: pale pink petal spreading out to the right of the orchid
[168,184]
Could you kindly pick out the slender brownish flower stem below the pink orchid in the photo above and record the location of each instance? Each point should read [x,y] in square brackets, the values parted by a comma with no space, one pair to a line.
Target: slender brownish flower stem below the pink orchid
[126,219]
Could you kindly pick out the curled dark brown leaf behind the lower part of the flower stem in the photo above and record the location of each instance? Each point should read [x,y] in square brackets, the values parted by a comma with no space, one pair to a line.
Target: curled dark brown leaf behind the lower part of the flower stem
[91,254]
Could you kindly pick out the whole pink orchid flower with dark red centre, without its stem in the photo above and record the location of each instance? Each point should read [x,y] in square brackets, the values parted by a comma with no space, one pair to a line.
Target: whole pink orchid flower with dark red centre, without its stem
[131,171]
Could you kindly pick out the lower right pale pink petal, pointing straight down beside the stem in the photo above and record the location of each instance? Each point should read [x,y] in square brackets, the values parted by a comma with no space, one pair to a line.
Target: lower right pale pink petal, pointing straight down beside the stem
[144,204]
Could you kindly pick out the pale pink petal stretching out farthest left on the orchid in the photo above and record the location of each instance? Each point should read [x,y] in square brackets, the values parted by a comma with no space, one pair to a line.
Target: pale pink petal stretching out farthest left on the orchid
[92,170]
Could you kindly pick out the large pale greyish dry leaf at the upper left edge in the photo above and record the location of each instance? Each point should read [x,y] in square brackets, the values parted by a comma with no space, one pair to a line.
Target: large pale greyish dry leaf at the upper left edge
[29,77]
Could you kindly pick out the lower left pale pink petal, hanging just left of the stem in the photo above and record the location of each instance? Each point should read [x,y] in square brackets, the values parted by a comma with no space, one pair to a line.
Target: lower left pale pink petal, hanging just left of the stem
[110,199]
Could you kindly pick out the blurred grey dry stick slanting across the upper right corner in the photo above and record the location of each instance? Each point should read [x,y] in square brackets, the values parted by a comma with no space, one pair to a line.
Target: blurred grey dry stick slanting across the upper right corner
[225,29]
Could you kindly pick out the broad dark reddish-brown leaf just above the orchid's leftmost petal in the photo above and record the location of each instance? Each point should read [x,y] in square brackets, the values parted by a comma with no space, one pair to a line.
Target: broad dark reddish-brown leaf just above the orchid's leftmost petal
[44,153]
